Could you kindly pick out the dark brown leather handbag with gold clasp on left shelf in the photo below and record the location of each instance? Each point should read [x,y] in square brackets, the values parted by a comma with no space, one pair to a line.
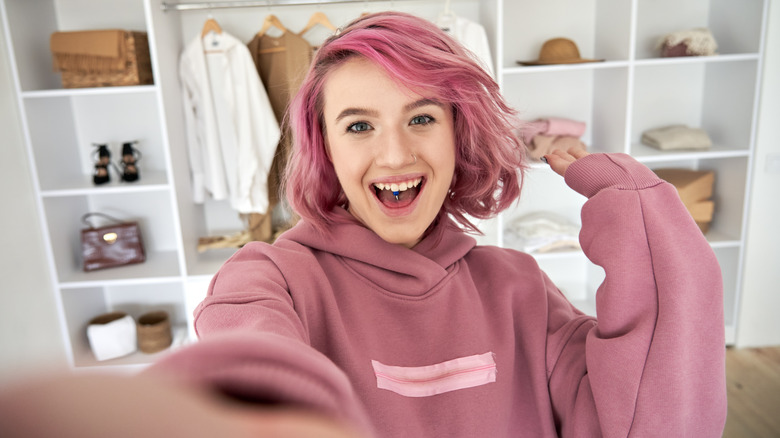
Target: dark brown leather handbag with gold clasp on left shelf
[116,244]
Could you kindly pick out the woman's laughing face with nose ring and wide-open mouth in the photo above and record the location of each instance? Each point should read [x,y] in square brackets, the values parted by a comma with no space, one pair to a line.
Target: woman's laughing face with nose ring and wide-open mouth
[393,150]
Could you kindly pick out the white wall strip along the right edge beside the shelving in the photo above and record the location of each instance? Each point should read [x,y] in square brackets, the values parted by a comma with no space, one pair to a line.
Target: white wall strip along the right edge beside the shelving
[759,323]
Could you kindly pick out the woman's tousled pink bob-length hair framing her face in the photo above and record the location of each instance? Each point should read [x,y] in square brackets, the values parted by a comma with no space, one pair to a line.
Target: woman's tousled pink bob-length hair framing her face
[489,158]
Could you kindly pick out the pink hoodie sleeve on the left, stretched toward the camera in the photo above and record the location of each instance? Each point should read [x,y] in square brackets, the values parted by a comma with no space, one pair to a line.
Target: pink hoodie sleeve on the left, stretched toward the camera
[253,347]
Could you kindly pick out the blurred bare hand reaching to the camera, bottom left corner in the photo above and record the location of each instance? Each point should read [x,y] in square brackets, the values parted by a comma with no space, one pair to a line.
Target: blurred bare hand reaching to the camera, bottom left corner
[103,405]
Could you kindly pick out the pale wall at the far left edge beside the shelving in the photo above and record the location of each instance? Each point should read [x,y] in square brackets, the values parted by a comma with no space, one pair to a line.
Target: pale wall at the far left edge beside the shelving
[30,338]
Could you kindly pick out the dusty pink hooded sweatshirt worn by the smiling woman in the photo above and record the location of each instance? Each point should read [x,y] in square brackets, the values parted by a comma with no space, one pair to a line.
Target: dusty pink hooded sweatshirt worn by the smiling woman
[457,340]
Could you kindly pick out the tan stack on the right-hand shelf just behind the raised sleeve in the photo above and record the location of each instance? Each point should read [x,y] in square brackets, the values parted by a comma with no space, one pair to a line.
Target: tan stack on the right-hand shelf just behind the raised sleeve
[695,189]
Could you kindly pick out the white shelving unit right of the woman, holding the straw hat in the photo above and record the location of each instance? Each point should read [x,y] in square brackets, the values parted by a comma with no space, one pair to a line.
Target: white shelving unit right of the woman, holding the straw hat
[634,90]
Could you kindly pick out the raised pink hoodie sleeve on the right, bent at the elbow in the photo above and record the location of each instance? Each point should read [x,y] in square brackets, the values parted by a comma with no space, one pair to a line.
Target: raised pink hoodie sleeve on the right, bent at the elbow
[653,363]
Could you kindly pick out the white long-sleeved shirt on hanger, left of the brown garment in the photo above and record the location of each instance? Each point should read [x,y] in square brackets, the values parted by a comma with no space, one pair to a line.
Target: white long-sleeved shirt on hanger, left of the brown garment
[232,132]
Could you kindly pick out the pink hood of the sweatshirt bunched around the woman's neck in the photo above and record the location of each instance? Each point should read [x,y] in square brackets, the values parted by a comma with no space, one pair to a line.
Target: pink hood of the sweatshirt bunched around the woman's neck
[392,267]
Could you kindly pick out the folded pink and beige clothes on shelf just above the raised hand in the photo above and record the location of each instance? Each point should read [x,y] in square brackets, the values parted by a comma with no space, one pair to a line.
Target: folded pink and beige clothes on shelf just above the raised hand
[543,136]
